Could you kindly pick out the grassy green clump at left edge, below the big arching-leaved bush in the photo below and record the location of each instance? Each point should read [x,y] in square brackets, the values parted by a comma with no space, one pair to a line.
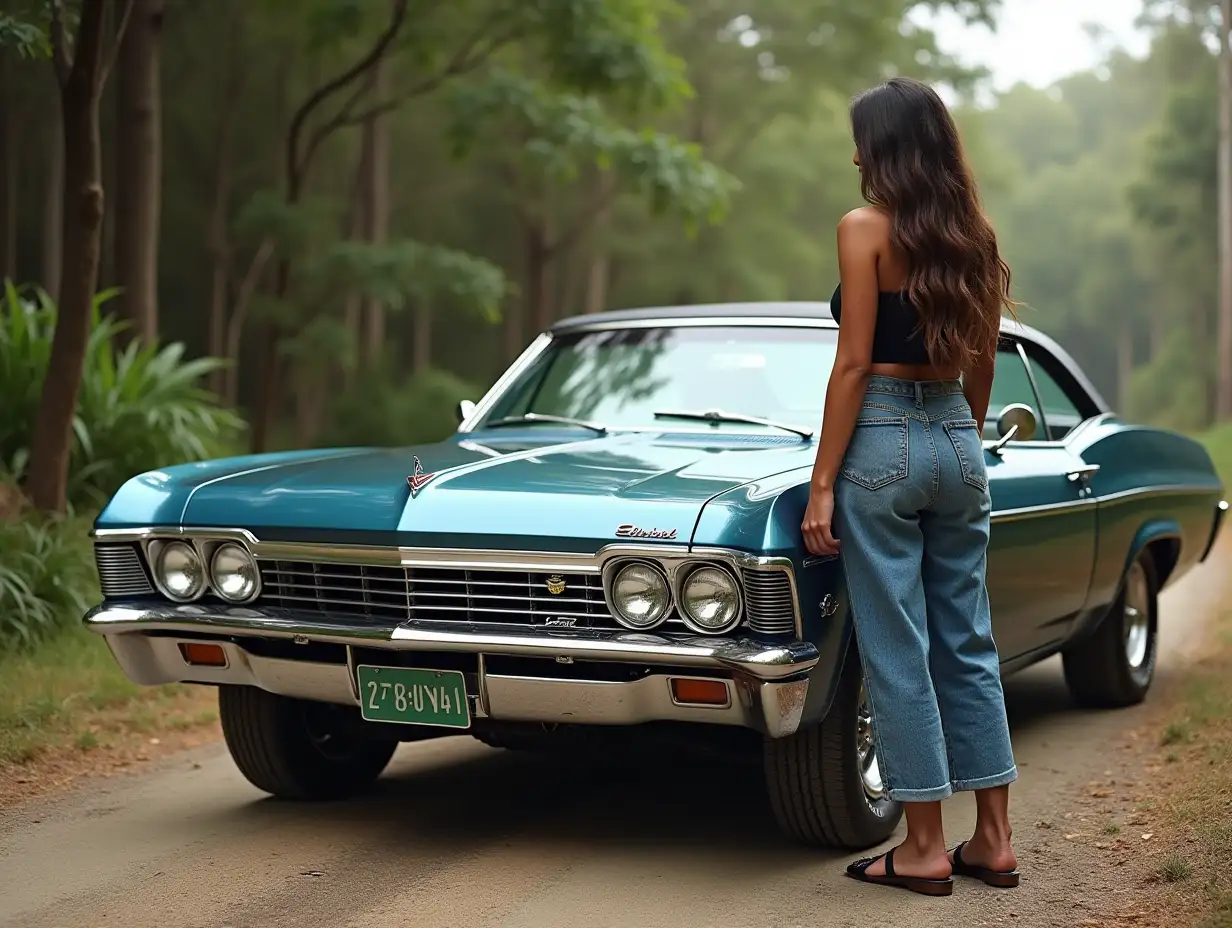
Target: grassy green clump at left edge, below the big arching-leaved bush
[47,579]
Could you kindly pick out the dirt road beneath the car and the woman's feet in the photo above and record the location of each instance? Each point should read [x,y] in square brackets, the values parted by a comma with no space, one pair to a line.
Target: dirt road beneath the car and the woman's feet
[459,835]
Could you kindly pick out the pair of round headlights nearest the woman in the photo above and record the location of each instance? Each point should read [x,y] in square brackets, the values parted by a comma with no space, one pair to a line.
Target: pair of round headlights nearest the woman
[709,598]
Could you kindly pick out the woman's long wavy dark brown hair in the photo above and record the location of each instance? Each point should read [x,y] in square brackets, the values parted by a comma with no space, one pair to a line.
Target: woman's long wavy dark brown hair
[912,166]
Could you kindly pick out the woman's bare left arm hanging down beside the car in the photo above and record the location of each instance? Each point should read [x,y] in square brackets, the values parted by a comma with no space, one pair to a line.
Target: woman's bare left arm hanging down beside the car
[861,238]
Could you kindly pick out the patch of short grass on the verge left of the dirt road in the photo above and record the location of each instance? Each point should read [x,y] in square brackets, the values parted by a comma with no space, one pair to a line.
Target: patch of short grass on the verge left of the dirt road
[70,697]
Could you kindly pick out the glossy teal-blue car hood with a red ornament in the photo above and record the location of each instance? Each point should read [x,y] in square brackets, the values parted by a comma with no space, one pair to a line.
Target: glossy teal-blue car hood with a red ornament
[565,497]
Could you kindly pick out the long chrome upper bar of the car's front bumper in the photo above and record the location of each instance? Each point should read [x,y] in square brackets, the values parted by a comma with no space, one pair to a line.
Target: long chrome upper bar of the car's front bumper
[745,656]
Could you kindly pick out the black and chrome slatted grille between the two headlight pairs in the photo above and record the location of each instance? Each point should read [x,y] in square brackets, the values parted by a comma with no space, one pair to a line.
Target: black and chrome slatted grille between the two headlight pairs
[434,593]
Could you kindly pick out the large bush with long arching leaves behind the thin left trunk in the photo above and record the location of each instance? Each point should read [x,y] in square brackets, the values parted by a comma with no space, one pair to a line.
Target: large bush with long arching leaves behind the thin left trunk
[140,407]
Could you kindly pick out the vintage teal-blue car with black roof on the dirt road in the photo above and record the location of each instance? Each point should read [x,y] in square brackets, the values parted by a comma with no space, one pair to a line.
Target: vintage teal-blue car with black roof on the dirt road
[612,539]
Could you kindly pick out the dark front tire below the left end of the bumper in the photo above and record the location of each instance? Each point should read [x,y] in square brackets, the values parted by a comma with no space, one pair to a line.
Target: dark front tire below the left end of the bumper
[299,750]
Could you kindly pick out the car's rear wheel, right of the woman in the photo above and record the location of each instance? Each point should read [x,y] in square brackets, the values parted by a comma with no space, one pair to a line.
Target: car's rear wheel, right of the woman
[1116,666]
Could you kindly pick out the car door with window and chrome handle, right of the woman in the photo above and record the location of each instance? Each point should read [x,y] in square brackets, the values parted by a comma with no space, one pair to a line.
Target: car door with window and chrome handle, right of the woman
[1043,544]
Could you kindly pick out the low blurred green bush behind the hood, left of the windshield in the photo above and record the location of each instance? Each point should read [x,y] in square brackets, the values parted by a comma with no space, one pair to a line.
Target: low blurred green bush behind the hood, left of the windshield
[390,410]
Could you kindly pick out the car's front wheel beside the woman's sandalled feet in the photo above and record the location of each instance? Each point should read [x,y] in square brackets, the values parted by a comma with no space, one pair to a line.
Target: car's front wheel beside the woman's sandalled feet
[825,782]
